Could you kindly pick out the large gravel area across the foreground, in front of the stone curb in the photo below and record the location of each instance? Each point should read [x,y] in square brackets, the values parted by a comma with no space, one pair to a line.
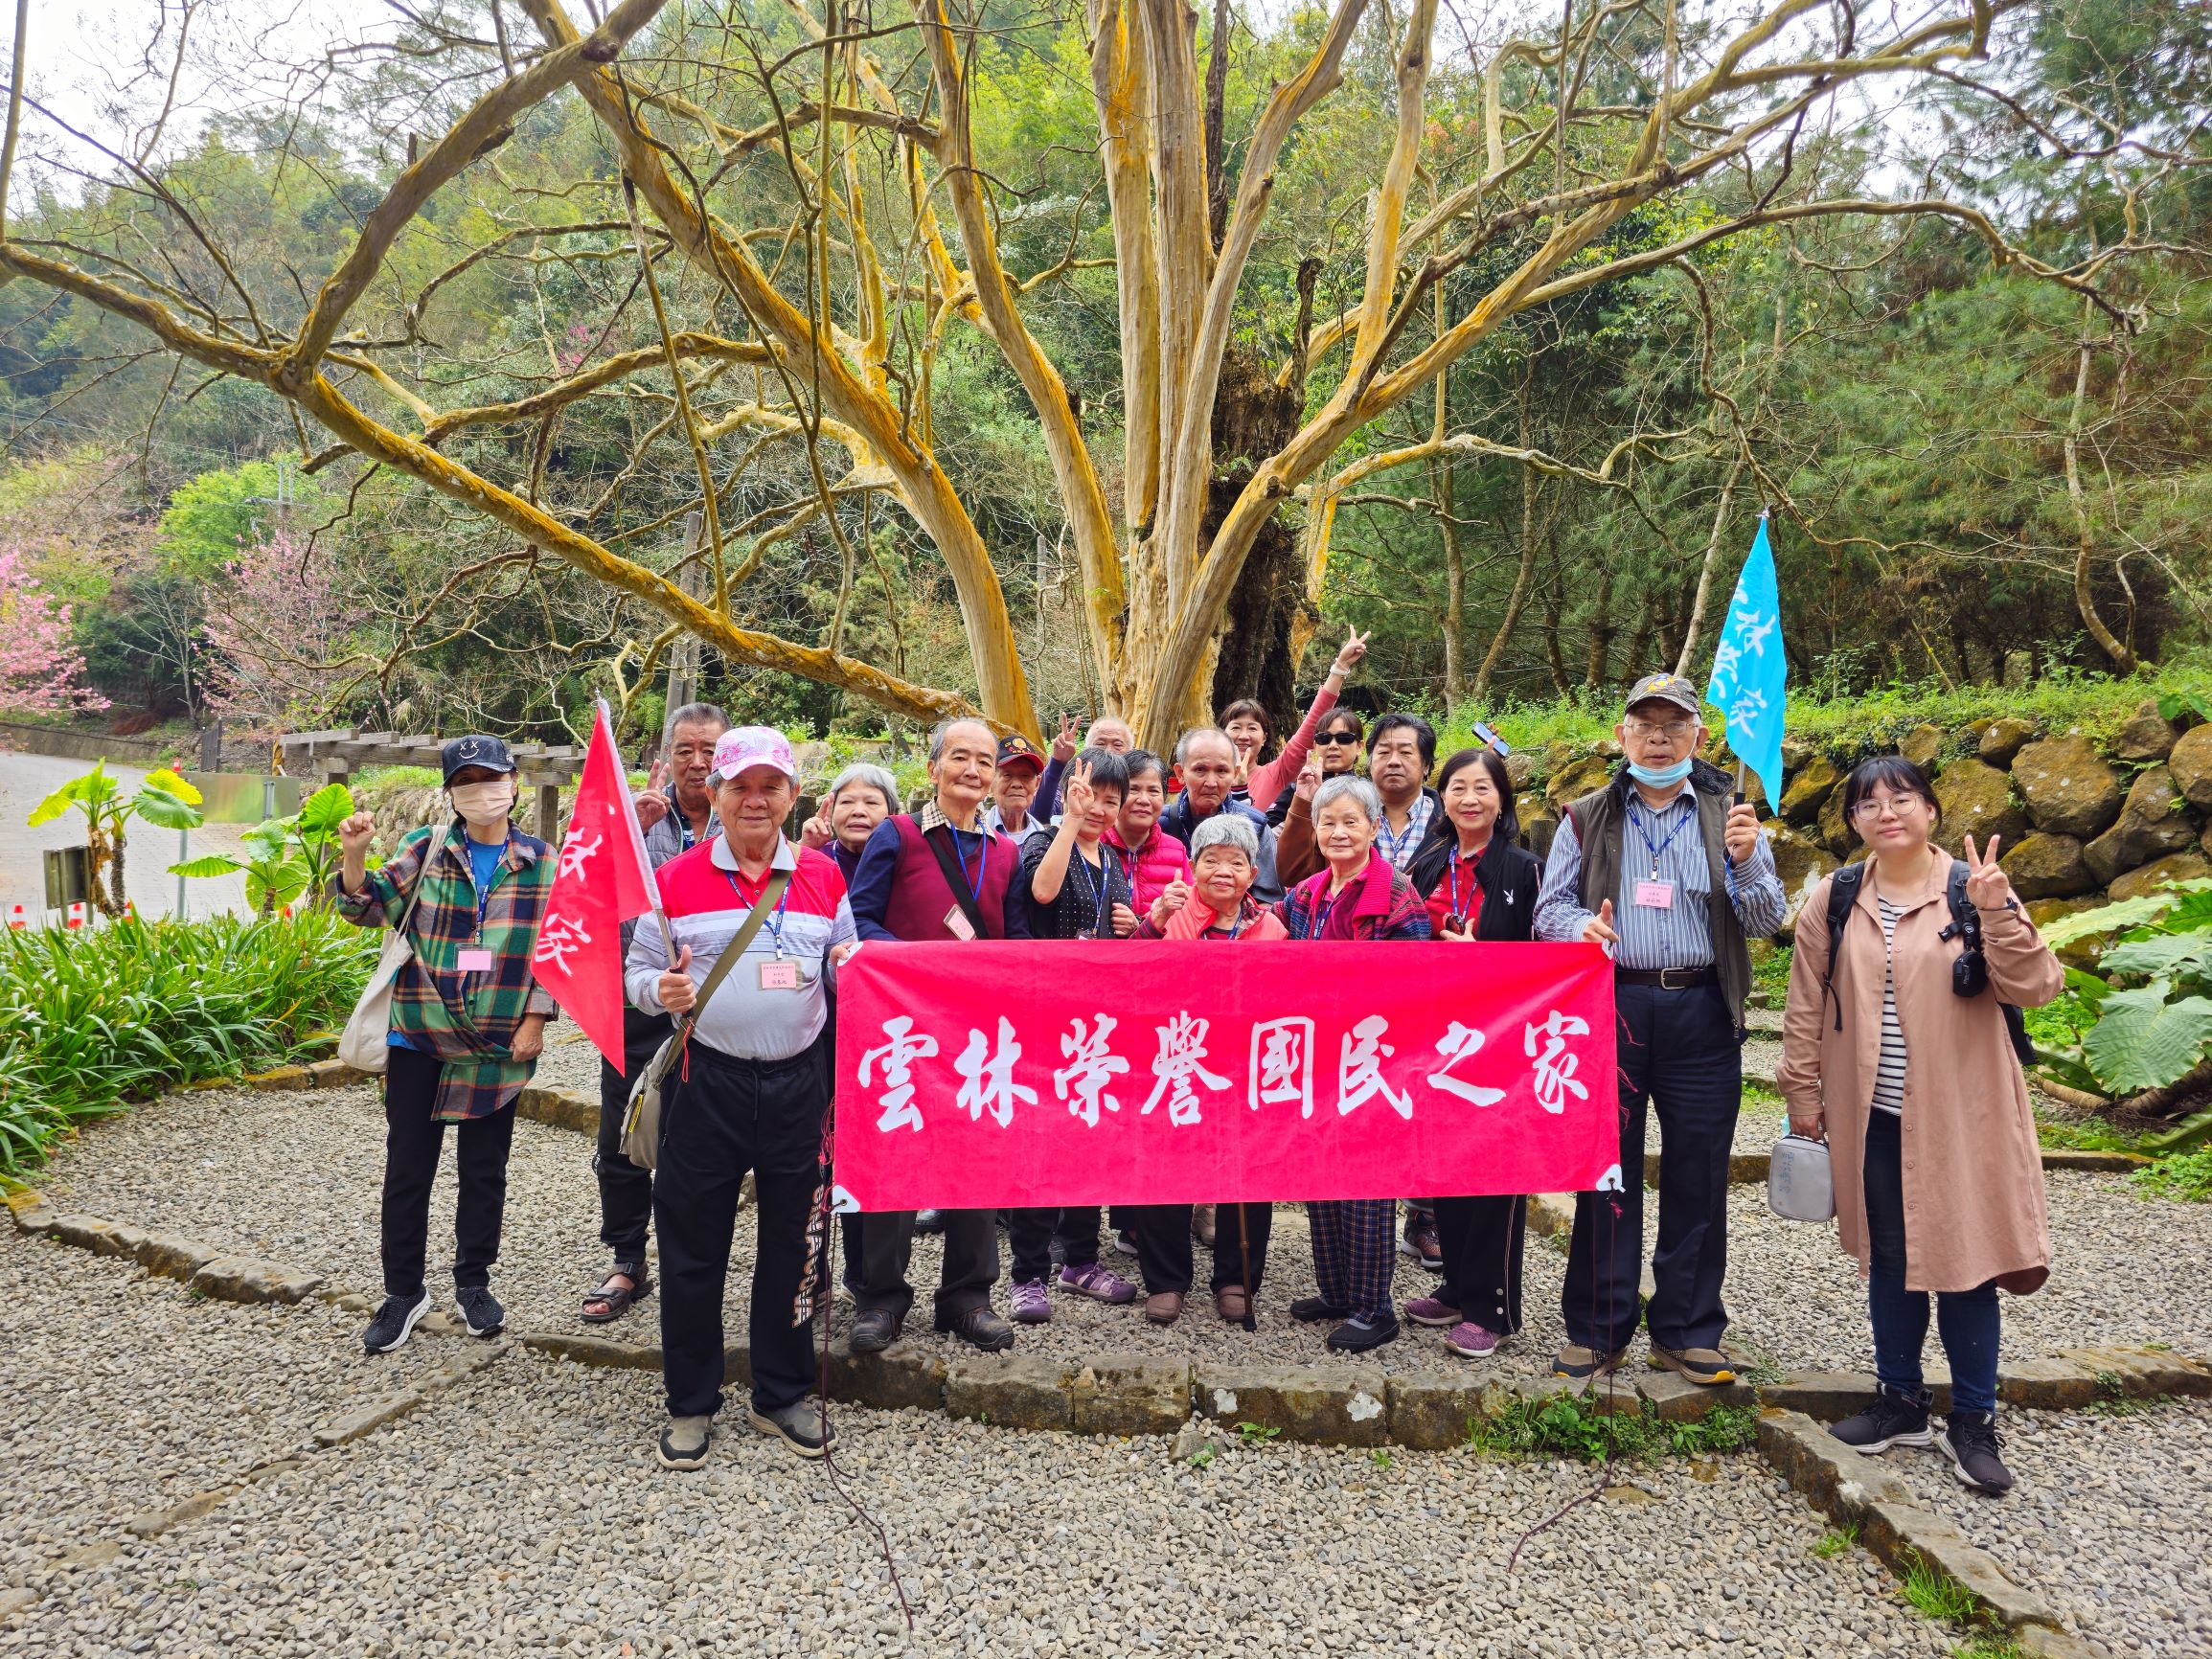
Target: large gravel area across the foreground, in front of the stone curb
[525,1516]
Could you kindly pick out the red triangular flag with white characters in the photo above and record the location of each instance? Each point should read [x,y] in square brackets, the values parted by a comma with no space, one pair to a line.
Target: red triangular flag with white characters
[603,881]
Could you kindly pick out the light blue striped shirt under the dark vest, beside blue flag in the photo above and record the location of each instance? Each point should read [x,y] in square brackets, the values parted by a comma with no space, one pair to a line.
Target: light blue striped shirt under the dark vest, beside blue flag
[1669,844]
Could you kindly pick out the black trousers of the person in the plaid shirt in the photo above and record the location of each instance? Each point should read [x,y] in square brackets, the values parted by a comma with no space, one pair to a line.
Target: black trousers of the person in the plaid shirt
[413,1147]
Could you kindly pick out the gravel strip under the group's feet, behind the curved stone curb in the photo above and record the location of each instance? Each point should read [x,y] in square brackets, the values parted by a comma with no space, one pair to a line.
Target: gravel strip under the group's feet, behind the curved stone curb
[295,1178]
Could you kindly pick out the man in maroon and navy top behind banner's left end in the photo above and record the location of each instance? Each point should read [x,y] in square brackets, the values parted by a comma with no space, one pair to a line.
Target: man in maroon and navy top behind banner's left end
[937,875]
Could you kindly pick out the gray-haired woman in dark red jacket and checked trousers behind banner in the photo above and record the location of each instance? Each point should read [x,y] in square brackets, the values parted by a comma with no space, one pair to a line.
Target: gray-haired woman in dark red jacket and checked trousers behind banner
[1359,897]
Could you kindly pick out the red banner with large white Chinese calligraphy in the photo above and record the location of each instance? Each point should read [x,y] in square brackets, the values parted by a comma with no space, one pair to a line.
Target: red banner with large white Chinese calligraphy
[1005,1074]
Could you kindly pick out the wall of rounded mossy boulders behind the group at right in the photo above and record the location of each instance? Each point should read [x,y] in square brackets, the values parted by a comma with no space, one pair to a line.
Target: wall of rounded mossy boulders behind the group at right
[2078,822]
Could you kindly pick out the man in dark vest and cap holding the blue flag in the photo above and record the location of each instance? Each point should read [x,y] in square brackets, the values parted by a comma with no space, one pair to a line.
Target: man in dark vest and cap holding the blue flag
[1673,879]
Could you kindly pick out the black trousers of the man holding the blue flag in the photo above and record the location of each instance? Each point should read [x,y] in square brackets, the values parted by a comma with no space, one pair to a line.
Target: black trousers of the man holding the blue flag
[1680,1056]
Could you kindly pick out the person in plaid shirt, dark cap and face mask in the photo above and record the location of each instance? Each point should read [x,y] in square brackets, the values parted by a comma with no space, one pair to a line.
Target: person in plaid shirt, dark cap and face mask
[468,1023]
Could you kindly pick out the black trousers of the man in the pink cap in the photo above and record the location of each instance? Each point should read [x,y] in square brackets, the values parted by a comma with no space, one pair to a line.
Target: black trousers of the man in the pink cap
[718,1123]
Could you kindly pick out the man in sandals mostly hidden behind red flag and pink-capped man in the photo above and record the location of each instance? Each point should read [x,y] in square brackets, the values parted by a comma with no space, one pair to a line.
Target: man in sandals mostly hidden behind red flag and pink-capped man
[678,813]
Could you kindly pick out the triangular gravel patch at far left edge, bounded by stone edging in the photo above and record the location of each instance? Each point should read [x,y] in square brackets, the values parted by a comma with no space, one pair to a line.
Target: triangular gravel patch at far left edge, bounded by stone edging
[129,1395]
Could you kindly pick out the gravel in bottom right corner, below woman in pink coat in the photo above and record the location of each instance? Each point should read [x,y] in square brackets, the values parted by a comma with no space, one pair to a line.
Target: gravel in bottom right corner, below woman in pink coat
[2109,1521]
